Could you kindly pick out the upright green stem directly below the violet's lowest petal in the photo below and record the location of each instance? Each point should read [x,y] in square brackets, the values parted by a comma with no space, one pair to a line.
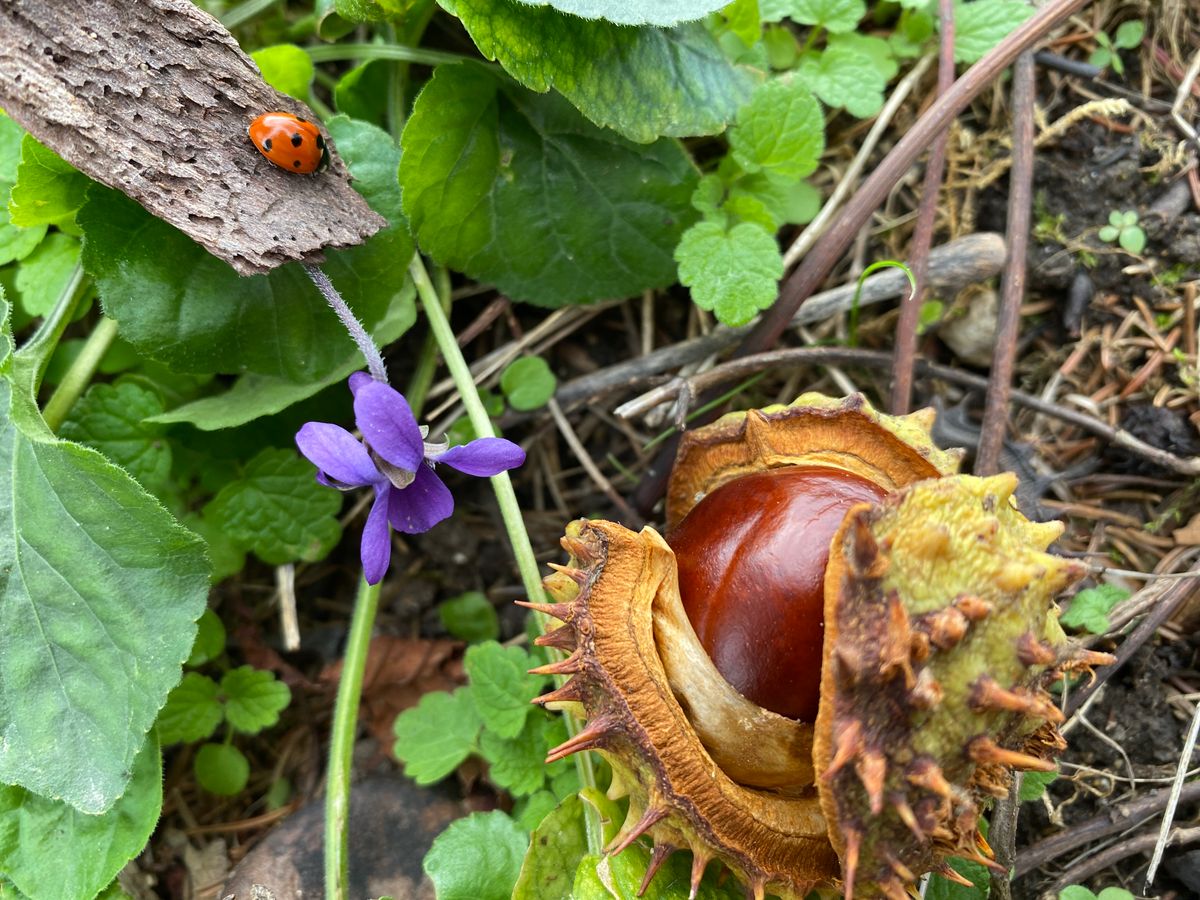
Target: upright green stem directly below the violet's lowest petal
[341,743]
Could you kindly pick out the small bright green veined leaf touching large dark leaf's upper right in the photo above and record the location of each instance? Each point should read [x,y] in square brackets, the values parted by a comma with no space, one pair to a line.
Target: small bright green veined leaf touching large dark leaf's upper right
[781,130]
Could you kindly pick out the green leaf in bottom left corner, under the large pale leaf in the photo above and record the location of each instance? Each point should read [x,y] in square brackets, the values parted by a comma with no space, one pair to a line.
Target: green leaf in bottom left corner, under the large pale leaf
[51,851]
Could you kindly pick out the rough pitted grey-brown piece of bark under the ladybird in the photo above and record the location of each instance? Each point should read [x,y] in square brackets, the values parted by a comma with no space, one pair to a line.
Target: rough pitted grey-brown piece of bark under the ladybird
[154,98]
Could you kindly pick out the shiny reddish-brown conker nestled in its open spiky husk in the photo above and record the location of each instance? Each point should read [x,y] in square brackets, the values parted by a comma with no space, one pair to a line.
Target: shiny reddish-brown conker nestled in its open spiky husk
[752,559]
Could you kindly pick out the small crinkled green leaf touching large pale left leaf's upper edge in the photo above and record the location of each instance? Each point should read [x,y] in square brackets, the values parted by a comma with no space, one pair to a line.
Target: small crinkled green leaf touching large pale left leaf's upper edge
[111,418]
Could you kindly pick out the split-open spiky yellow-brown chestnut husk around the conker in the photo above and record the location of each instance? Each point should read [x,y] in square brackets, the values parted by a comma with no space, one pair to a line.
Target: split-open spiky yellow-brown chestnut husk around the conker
[689,751]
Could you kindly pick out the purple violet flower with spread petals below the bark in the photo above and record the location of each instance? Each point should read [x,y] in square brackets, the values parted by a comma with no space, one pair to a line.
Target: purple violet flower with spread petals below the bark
[397,461]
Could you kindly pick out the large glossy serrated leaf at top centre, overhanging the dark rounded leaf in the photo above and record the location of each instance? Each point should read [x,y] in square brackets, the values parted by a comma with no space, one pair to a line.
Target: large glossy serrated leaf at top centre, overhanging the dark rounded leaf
[641,82]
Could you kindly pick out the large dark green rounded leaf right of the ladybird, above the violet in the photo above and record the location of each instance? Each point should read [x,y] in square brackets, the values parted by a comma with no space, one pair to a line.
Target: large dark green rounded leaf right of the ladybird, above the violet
[519,190]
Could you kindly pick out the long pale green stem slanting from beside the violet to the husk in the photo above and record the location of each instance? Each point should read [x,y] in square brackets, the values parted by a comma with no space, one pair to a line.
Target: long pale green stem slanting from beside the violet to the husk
[506,497]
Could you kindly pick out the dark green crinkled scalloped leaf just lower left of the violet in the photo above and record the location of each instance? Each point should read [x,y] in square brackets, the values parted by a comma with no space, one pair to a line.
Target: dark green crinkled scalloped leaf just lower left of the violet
[279,511]
